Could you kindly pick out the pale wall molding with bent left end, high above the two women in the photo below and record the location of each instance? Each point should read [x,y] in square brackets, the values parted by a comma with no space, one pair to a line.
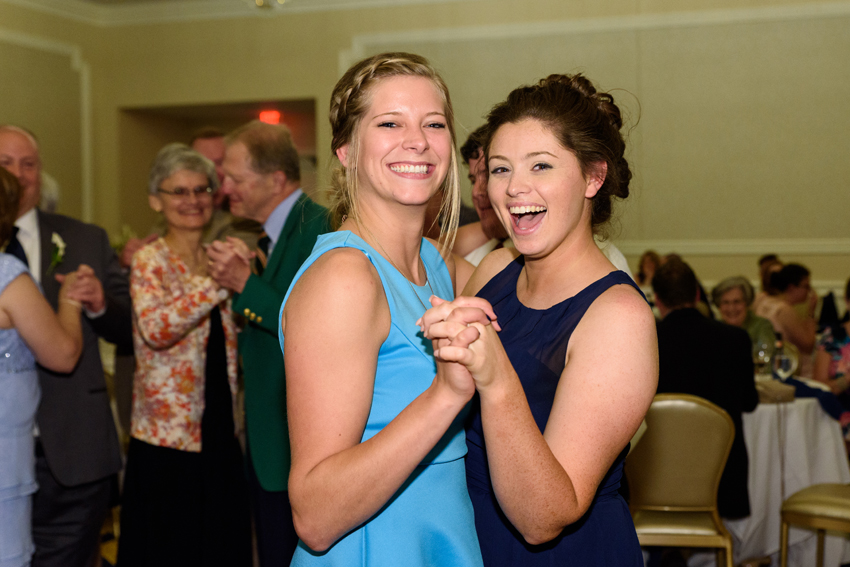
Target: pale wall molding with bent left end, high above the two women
[360,44]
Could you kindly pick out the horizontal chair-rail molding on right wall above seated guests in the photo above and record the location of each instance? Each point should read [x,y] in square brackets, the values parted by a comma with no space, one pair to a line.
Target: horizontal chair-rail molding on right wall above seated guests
[738,247]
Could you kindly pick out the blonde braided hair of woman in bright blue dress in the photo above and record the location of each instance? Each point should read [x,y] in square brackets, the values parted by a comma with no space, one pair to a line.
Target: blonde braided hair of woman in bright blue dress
[350,101]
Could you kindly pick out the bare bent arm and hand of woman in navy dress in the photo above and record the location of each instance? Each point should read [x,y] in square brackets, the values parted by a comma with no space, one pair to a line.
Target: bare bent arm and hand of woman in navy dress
[546,482]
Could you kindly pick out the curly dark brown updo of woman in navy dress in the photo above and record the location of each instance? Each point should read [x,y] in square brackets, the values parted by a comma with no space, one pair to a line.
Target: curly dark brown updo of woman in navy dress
[585,121]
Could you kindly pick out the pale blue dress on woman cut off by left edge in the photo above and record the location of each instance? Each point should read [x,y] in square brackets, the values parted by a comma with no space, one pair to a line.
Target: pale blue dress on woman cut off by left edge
[19,396]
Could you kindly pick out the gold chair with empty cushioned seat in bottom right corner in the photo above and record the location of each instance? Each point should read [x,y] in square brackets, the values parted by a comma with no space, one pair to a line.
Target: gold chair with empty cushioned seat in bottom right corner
[819,507]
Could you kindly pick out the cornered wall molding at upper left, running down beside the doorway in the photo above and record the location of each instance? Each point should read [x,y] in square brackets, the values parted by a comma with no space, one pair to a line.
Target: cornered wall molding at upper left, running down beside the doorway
[78,64]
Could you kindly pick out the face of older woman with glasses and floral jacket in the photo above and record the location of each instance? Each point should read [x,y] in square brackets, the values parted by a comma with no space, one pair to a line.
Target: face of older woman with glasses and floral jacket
[191,211]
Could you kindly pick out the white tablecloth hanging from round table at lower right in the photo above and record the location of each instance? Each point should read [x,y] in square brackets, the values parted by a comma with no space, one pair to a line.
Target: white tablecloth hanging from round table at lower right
[790,446]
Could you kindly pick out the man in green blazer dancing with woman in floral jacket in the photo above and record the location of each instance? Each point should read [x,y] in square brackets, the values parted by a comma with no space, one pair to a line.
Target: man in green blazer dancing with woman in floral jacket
[262,180]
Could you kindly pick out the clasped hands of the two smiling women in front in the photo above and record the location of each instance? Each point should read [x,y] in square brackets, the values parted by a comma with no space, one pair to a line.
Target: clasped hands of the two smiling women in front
[463,331]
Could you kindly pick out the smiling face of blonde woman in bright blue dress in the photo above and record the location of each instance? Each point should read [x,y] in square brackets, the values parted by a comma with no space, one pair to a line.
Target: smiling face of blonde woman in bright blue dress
[404,144]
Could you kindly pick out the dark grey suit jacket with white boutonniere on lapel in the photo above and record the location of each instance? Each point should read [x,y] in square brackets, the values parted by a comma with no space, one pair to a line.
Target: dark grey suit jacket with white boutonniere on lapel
[74,418]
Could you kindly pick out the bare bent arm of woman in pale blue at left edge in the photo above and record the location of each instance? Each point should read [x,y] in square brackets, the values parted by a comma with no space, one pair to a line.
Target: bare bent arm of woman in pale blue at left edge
[56,340]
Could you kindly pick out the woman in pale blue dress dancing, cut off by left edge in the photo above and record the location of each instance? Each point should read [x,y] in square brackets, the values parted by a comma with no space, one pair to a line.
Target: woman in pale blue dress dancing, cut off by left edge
[29,331]
